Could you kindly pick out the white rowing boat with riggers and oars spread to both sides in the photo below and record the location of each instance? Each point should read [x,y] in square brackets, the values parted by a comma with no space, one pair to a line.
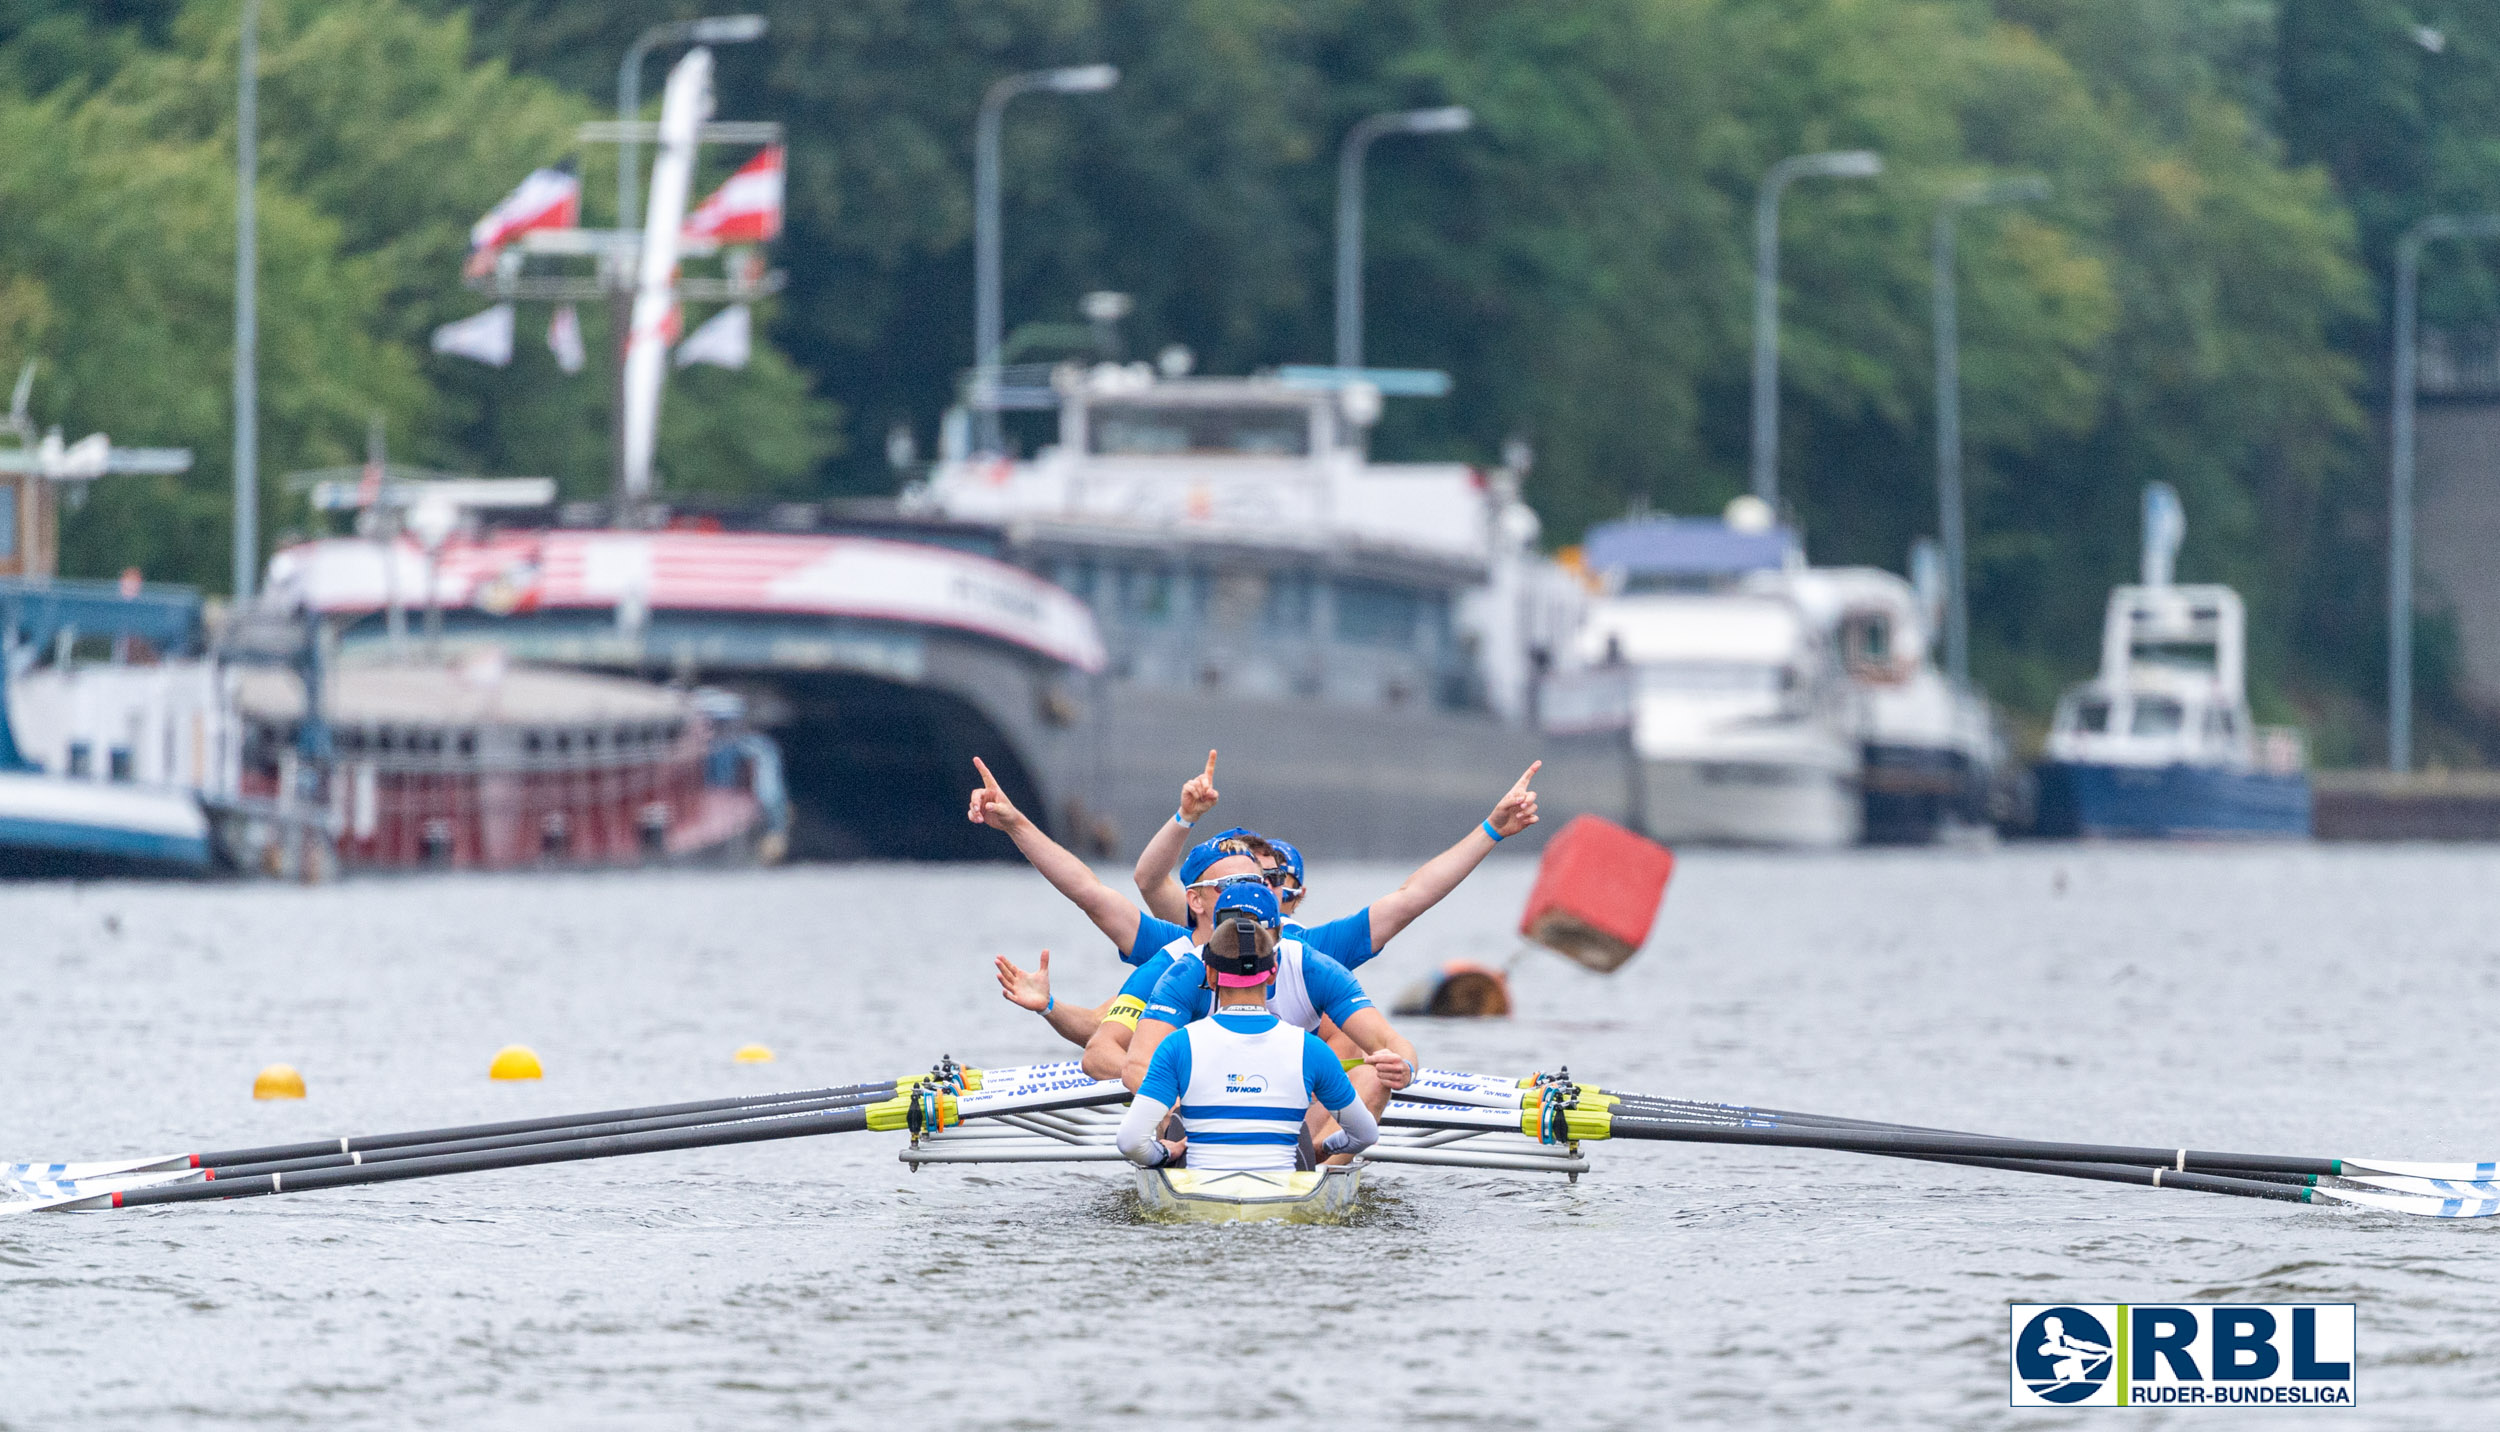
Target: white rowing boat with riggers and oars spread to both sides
[1056,1113]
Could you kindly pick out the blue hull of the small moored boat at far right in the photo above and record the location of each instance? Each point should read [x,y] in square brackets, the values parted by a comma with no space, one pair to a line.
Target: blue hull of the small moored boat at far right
[2171,803]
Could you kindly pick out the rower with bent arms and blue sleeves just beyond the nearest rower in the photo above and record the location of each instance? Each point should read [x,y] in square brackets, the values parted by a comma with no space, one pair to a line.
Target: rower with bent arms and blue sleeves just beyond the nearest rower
[1309,988]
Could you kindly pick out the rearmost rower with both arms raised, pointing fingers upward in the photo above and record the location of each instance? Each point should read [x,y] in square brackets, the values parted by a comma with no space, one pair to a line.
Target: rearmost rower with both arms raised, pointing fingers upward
[1354,938]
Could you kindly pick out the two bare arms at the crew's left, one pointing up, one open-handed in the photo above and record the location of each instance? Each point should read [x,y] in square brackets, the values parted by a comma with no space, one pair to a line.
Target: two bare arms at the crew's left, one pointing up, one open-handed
[1141,938]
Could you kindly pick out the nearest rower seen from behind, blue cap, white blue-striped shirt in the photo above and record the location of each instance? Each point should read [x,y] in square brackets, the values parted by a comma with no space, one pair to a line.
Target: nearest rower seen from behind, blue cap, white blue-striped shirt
[1244,1078]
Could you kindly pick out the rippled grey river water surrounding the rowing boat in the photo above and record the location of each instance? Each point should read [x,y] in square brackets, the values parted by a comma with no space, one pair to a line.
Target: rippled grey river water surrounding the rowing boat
[2289,1001]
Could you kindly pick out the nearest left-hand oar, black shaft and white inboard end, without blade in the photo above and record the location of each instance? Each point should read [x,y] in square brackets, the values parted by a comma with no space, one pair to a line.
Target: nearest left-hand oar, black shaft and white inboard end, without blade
[764,1128]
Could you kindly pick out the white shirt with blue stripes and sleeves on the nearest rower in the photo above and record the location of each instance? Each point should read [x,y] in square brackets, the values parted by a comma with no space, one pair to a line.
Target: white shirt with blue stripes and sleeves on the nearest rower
[1241,1083]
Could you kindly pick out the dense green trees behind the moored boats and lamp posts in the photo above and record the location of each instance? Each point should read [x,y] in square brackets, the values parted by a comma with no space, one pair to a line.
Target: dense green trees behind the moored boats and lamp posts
[2201,299]
